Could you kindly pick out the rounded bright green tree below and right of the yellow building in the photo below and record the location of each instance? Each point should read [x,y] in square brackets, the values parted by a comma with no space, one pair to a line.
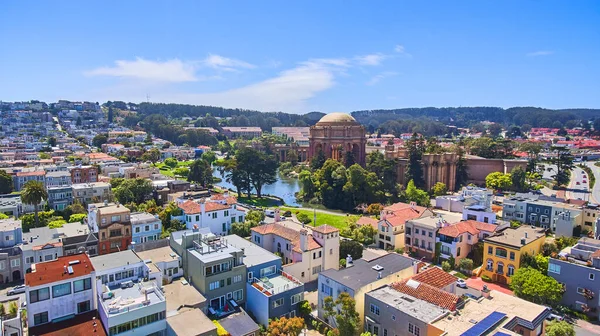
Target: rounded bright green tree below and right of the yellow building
[531,285]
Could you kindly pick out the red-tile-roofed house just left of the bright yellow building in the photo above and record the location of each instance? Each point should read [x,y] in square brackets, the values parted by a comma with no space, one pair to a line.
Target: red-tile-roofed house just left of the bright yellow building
[458,239]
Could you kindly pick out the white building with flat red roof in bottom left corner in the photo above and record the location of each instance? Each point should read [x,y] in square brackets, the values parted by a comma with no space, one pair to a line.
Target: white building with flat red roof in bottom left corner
[60,289]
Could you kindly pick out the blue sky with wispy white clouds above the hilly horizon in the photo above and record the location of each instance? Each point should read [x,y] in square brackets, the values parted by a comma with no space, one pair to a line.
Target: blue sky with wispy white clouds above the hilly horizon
[301,56]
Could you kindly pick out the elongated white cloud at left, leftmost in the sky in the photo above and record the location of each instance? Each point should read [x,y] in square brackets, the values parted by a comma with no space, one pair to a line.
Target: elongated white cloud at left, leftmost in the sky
[173,70]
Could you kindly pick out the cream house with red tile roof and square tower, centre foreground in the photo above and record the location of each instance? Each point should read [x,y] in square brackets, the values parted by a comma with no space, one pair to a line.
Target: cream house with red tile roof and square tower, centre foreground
[305,255]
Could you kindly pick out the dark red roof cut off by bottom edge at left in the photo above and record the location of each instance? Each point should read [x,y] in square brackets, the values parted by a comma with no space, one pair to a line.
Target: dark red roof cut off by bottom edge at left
[82,324]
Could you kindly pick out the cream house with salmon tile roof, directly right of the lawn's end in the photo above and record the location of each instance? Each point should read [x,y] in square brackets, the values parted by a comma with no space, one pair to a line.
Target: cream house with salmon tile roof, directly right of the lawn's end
[390,229]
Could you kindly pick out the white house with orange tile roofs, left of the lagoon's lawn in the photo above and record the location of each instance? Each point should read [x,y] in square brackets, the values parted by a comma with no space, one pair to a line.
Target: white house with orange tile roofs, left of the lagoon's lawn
[217,213]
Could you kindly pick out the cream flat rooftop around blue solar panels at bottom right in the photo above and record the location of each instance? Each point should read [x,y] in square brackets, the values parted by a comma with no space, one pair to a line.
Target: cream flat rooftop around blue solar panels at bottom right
[476,310]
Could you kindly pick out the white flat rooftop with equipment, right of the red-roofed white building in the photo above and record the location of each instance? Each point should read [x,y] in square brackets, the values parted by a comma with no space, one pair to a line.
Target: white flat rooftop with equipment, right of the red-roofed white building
[124,300]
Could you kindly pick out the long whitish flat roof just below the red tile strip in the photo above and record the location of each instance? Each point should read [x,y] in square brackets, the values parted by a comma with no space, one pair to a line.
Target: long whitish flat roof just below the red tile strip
[410,305]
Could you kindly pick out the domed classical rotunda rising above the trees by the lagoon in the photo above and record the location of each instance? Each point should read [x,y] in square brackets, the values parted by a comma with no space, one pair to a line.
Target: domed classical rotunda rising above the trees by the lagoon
[335,134]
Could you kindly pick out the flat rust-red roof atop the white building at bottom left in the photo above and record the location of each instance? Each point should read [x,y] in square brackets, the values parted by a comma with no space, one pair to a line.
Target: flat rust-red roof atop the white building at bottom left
[53,271]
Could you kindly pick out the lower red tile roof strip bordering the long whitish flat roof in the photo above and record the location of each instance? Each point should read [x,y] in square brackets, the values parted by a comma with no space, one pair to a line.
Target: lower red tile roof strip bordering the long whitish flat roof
[427,293]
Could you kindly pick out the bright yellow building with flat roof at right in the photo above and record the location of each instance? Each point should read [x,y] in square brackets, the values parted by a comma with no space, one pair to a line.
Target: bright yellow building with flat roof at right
[502,252]
